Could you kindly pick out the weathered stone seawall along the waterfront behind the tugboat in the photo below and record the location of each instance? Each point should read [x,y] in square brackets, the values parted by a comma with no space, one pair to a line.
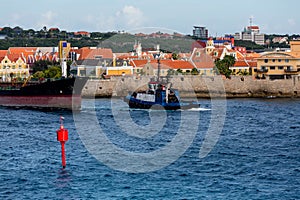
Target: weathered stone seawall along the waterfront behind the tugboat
[201,86]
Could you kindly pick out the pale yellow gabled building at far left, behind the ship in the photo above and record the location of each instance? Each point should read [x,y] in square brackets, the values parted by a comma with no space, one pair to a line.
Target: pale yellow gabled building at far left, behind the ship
[12,67]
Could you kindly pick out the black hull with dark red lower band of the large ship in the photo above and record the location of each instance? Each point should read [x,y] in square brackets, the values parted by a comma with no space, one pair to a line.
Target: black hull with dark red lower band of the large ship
[63,93]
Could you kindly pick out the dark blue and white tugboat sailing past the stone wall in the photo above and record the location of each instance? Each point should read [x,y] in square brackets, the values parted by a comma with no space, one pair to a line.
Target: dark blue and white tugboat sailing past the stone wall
[159,96]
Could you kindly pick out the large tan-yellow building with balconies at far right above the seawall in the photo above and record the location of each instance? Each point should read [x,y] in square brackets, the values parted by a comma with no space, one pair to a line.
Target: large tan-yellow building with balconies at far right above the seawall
[279,65]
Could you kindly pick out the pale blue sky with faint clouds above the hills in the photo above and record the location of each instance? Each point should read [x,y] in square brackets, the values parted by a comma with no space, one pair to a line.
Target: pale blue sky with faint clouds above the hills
[219,17]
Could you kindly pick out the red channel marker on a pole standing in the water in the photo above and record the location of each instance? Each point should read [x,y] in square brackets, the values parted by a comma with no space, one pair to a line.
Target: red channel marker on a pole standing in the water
[62,137]
